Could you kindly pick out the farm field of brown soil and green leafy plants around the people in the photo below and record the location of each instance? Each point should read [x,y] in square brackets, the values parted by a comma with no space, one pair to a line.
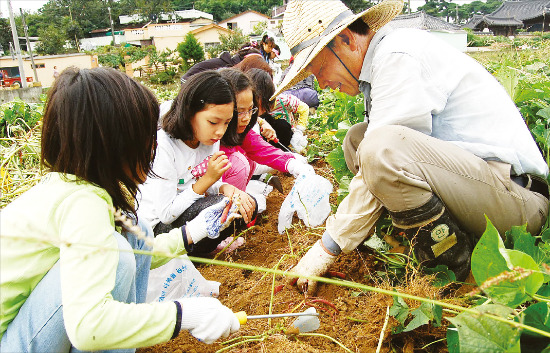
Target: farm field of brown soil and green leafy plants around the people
[503,310]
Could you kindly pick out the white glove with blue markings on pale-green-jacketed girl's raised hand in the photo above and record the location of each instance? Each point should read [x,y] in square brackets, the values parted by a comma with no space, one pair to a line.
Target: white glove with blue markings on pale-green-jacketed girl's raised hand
[208,221]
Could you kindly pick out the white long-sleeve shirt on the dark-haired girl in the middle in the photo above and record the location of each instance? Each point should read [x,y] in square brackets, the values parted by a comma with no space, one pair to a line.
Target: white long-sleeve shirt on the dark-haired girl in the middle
[165,197]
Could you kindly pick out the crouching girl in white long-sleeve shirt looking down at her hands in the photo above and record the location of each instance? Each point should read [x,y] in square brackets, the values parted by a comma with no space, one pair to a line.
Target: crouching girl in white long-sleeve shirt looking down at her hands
[188,164]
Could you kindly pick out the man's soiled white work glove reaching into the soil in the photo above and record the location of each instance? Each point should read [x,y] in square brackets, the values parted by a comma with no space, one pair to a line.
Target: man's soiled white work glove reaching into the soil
[314,263]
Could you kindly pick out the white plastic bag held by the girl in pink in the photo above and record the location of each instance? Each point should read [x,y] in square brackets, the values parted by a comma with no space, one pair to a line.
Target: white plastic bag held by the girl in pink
[309,197]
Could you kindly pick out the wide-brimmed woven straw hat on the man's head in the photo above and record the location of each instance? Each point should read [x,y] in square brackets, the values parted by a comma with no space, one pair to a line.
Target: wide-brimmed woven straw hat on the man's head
[309,25]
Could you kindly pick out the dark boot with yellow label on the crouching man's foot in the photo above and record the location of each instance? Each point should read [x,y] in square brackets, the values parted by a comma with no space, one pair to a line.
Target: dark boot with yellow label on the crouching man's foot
[436,238]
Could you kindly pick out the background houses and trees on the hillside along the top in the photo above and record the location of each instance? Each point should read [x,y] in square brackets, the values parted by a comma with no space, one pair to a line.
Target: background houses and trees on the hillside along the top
[165,30]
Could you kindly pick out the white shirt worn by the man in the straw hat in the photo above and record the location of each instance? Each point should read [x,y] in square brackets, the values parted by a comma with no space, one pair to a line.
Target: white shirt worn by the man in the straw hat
[412,78]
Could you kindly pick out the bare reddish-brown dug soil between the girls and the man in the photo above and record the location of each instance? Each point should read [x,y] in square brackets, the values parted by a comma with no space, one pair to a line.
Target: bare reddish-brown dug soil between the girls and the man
[352,317]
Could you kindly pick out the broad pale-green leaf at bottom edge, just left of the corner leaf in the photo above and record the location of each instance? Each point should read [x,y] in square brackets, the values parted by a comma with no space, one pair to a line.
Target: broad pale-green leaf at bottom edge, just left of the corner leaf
[478,333]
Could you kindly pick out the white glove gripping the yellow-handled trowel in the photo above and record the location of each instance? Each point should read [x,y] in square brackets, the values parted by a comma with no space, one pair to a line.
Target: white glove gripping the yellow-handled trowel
[207,319]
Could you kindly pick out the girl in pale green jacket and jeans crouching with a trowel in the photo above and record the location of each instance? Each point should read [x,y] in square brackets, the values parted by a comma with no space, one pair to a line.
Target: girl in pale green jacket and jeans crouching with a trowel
[68,276]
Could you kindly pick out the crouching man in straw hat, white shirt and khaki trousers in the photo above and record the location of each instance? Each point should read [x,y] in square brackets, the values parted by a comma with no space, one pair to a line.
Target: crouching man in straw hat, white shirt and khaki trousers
[442,144]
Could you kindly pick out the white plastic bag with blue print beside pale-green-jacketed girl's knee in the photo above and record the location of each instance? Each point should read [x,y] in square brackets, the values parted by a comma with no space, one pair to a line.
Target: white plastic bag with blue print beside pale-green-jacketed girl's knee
[178,279]
